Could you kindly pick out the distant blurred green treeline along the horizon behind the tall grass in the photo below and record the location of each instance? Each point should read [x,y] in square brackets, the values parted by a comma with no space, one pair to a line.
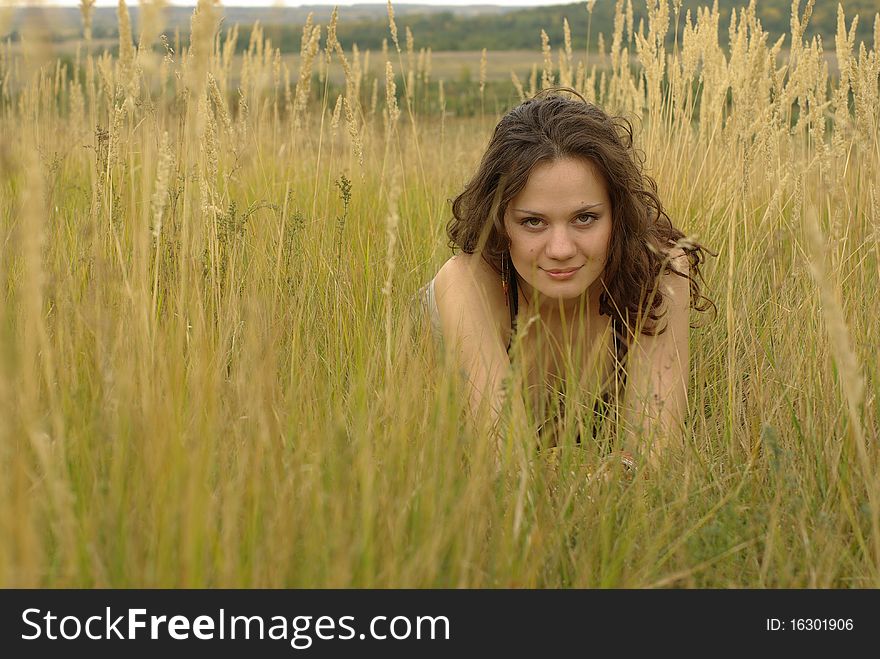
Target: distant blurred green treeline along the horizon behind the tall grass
[505,29]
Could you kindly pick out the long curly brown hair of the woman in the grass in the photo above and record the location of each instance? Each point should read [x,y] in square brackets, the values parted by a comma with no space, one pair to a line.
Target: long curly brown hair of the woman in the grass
[553,125]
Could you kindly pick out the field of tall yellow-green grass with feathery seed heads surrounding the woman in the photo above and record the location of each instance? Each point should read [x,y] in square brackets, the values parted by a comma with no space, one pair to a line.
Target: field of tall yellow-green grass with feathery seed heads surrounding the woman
[210,374]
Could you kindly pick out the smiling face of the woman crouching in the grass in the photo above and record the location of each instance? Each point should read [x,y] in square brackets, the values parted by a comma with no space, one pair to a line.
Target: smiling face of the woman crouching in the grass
[560,228]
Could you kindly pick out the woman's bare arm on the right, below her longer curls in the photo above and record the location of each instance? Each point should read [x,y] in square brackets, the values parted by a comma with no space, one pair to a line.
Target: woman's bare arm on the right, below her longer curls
[655,403]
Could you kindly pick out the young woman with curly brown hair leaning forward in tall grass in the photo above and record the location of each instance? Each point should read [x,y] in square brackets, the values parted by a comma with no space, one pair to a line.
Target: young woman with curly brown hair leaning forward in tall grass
[565,246]
